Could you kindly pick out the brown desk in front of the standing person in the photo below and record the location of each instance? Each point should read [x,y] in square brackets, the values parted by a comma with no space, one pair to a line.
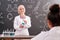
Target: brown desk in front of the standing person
[17,37]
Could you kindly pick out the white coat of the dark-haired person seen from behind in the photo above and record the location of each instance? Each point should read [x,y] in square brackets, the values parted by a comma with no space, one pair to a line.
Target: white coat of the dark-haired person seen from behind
[53,34]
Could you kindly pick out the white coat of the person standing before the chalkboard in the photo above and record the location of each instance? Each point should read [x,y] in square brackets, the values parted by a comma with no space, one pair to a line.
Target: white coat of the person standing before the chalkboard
[18,21]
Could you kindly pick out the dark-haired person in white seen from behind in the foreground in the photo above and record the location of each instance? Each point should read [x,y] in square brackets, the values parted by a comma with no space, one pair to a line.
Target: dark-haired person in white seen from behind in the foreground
[53,19]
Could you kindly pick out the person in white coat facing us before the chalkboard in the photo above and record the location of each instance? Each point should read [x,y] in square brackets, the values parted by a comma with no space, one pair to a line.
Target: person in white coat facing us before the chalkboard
[22,22]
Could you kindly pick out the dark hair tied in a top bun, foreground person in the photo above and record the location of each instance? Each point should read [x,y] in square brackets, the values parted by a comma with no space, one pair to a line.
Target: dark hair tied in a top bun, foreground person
[54,15]
